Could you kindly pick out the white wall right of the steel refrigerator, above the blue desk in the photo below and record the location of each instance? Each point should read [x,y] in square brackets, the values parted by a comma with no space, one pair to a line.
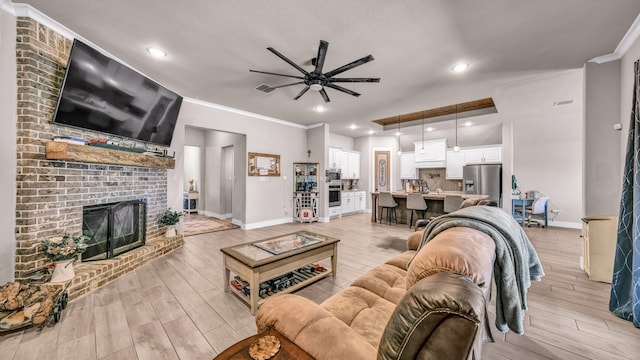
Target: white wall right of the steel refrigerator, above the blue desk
[548,139]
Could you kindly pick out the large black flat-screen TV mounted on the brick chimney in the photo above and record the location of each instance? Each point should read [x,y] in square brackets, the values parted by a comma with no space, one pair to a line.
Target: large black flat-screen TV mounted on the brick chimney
[99,93]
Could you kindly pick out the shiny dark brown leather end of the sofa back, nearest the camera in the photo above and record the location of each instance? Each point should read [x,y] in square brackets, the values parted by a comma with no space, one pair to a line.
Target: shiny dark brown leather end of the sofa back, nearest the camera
[440,317]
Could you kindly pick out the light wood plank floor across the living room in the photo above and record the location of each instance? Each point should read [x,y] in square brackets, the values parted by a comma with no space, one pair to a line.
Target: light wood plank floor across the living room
[174,307]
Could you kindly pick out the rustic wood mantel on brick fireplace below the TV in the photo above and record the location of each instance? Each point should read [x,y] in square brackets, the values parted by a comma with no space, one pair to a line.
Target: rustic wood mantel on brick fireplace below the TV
[55,150]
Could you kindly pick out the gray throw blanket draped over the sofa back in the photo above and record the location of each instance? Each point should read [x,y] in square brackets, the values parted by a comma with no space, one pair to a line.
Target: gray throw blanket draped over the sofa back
[516,262]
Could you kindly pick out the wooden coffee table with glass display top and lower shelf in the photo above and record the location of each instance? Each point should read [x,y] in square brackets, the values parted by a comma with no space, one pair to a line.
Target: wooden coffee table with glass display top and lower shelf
[267,262]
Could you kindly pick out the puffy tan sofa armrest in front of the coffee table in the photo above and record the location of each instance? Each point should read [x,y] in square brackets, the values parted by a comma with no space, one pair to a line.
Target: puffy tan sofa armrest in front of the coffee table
[312,328]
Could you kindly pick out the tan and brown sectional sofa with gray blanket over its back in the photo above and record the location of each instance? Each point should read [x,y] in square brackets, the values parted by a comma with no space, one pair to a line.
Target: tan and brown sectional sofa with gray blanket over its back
[426,303]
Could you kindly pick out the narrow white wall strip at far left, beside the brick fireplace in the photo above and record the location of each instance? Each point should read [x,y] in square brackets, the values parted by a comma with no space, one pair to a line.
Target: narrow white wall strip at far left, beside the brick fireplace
[8,96]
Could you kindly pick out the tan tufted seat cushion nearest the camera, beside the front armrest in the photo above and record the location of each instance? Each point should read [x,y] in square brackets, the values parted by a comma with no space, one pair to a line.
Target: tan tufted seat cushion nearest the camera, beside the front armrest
[363,311]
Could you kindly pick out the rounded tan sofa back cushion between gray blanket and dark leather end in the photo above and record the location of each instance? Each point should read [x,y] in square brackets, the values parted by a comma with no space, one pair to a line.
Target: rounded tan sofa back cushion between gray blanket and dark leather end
[460,249]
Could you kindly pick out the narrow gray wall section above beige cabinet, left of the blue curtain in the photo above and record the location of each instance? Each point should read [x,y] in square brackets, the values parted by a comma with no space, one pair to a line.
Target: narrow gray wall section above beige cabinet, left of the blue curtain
[601,176]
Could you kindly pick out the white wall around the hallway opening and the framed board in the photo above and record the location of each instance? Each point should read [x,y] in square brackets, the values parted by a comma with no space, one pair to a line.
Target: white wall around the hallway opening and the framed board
[268,199]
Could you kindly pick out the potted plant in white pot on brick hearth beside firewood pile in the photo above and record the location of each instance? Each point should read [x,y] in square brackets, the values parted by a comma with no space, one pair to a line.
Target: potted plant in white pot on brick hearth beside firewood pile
[63,250]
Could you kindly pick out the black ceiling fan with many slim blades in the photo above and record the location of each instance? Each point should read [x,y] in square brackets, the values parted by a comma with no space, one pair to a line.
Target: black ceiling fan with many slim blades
[317,80]
